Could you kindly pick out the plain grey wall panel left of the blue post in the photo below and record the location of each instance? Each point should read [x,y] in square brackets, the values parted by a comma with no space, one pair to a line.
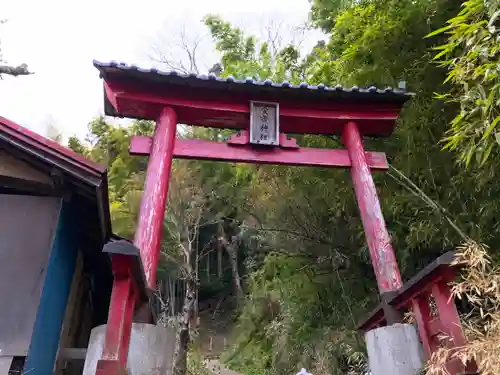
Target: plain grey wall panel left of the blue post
[27,227]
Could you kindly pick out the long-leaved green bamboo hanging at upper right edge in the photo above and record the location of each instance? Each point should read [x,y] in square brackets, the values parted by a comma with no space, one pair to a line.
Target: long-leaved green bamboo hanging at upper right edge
[471,54]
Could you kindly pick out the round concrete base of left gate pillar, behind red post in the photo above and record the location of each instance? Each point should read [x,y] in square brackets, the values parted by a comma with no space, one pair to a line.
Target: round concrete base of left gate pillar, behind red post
[151,350]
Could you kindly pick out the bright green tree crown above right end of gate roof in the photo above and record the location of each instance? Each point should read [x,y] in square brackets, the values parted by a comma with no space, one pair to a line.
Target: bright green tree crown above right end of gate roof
[381,42]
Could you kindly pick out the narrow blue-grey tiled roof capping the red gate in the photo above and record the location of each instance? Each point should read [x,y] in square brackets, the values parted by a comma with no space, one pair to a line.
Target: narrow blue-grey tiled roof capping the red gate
[120,69]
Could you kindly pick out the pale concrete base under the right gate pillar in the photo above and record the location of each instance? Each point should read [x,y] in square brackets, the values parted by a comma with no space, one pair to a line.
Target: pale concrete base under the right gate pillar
[394,350]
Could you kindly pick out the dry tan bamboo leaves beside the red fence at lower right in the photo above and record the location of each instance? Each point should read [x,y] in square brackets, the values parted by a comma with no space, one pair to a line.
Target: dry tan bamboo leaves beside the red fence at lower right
[480,284]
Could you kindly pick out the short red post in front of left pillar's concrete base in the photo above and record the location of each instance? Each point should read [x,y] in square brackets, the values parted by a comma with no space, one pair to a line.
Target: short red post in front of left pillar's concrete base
[117,337]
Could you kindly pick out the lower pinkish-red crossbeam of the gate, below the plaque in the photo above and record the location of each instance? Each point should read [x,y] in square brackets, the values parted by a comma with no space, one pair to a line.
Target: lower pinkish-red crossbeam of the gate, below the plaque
[241,153]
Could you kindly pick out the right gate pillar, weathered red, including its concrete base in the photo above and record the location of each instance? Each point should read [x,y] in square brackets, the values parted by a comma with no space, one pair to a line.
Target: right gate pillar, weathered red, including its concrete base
[394,349]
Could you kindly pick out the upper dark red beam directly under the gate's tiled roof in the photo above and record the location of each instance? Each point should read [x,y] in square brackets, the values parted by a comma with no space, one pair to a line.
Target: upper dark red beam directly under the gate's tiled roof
[232,110]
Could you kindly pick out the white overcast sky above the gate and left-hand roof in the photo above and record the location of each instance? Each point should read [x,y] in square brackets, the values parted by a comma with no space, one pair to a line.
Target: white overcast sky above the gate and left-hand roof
[58,39]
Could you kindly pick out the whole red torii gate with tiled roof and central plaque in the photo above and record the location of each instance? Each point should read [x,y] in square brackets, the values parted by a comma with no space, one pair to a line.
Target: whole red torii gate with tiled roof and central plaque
[263,113]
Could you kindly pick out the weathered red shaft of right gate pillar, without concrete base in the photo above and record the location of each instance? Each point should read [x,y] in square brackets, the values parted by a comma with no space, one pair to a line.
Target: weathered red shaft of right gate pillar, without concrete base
[379,243]
